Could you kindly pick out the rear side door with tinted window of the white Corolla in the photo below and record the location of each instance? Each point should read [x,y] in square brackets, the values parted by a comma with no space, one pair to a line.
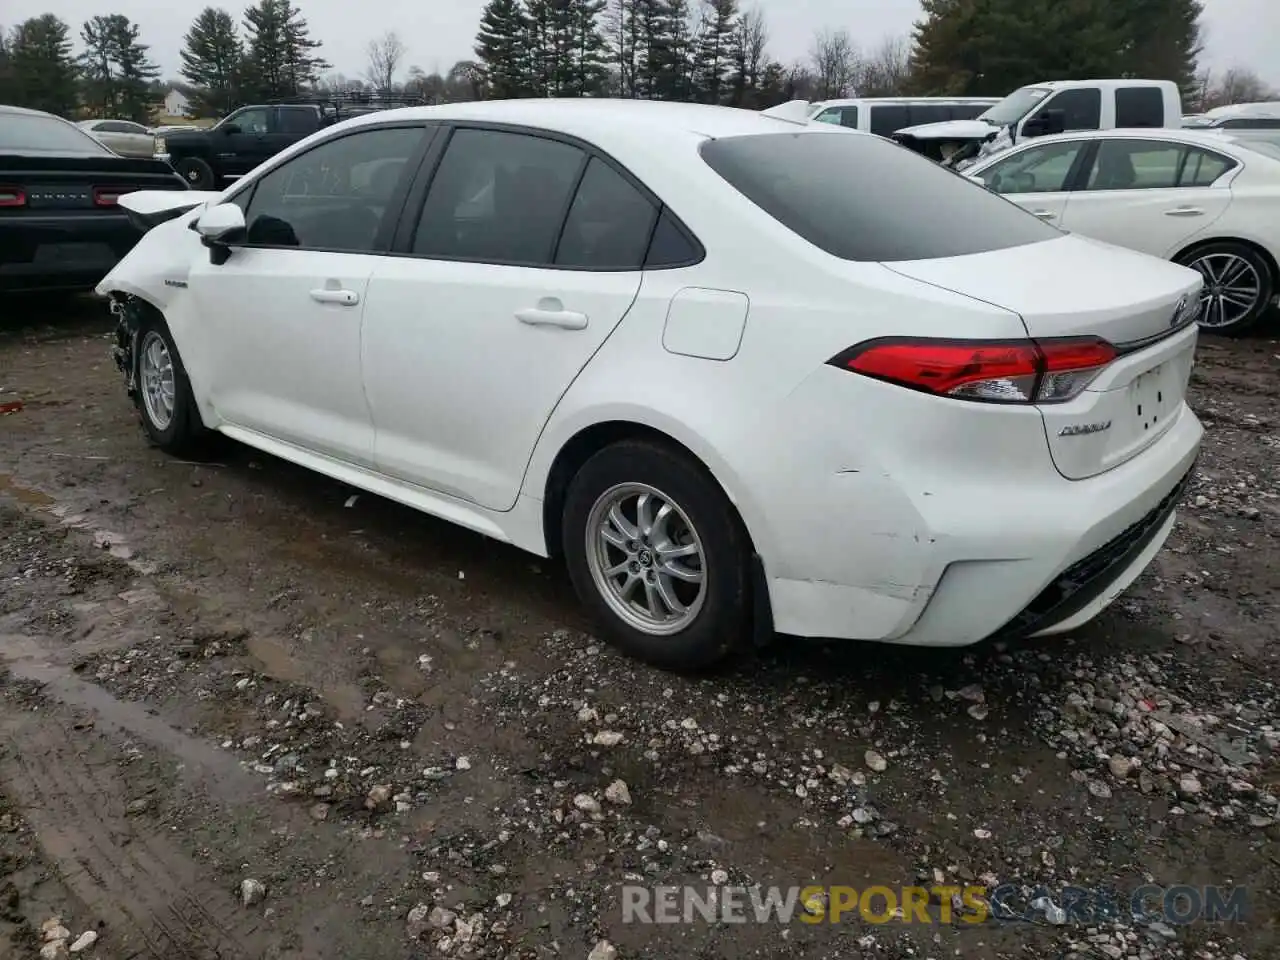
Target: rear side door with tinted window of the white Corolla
[511,280]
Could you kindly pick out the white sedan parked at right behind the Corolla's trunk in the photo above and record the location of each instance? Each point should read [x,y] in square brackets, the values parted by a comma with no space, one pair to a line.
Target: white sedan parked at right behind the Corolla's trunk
[1196,198]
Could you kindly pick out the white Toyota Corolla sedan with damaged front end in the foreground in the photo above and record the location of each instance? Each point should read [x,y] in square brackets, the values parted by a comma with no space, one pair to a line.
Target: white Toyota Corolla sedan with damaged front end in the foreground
[673,345]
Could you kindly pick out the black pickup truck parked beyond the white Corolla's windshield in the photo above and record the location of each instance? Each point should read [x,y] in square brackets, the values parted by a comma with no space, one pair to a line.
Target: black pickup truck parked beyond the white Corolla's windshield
[253,135]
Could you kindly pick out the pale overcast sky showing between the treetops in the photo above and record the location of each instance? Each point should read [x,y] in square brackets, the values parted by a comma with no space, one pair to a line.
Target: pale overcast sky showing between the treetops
[440,33]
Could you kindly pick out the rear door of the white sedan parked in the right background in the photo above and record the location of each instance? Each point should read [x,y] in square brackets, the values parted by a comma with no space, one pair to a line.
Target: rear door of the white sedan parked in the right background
[1149,195]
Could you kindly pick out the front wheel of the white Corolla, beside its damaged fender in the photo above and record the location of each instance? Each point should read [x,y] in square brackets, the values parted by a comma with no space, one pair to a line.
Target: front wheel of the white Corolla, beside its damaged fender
[163,397]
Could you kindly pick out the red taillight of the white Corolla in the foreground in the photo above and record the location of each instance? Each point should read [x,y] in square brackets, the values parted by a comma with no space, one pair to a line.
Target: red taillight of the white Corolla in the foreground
[995,372]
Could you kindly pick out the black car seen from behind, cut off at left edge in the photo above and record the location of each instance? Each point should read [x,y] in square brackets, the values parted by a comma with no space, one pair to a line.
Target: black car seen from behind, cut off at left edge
[61,225]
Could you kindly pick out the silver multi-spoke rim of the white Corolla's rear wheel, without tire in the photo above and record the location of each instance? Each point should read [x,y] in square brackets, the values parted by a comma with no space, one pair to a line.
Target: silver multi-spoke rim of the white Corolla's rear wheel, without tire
[646,559]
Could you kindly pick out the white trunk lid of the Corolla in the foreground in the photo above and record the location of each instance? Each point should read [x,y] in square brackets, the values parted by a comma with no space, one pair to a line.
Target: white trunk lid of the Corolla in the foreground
[1077,287]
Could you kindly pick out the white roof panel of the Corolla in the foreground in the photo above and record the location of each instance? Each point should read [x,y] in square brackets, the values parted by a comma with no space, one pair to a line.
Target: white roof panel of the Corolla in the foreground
[605,121]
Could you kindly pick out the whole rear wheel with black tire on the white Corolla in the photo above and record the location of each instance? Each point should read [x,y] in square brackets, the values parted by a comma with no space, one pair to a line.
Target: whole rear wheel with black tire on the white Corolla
[698,533]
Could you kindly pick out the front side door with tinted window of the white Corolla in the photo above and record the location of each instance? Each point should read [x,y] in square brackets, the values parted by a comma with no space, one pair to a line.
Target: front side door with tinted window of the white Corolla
[280,328]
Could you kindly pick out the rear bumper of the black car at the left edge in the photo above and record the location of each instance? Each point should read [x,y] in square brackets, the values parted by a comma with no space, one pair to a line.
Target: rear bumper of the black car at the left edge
[70,252]
